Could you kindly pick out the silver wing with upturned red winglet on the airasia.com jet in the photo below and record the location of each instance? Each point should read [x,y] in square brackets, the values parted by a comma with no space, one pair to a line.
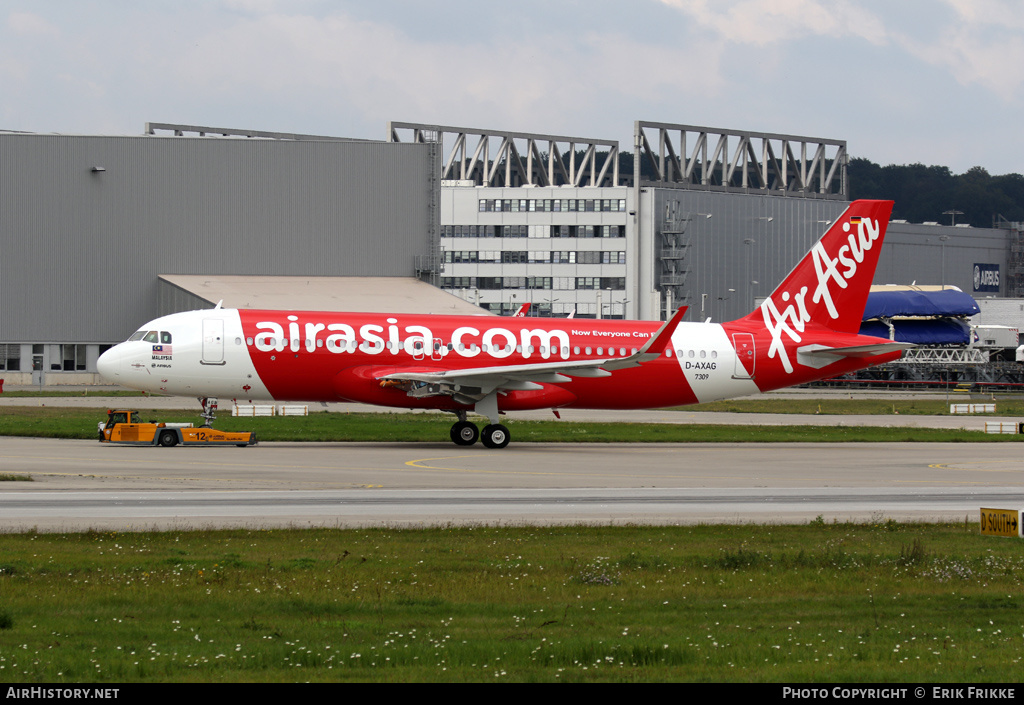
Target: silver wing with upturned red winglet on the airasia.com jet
[470,385]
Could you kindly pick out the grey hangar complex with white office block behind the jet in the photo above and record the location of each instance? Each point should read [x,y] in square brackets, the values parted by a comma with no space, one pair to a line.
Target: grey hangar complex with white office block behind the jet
[102,234]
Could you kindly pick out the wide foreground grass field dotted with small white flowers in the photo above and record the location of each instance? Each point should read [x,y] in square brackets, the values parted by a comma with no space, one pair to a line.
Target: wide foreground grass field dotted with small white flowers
[880,602]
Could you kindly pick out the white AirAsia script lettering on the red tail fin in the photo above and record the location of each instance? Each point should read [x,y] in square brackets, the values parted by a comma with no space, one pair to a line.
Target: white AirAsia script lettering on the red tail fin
[794,318]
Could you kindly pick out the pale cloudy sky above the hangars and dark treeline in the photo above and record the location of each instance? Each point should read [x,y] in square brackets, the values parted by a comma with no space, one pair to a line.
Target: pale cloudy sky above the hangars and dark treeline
[903,81]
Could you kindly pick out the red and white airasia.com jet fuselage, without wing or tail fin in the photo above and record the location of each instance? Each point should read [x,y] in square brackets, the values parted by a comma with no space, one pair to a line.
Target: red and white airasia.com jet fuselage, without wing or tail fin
[331,357]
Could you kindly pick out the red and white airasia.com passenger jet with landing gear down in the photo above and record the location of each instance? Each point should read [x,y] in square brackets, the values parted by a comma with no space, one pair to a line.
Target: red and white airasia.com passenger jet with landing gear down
[806,330]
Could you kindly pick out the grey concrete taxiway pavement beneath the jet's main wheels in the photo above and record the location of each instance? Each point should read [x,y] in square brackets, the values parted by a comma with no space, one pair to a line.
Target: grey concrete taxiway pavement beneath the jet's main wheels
[80,485]
